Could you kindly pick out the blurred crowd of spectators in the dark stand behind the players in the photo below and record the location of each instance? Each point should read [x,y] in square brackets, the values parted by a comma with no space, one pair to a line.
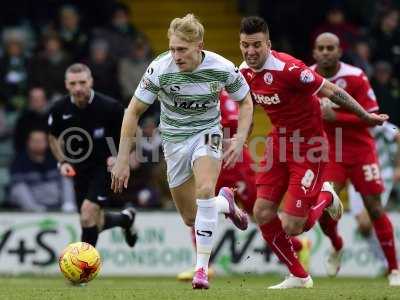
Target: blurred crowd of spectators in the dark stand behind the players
[37,47]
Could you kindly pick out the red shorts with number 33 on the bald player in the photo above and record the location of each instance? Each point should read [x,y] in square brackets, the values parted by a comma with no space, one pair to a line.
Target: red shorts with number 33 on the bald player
[365,176]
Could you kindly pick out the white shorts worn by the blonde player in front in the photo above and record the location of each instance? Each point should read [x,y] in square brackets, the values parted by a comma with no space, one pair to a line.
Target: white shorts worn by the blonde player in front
[181,156]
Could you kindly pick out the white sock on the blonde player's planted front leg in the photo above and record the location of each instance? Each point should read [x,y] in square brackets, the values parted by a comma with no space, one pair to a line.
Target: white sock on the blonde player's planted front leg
[205,229]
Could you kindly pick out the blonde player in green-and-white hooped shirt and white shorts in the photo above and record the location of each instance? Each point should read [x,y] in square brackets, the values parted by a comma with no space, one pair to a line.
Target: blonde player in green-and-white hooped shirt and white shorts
[187,81]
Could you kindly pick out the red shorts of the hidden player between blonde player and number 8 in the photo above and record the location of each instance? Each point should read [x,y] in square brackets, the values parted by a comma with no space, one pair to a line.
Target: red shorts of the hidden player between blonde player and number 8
[241,177]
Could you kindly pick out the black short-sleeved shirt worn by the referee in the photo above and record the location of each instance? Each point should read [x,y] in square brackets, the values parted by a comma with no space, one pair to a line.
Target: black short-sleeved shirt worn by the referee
[84,131]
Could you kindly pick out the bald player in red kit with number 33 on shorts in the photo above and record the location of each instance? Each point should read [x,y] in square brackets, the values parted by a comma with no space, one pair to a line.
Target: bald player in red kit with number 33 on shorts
[359,161]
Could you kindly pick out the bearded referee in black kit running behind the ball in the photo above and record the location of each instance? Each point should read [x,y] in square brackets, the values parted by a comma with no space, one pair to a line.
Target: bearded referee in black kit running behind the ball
[83,127]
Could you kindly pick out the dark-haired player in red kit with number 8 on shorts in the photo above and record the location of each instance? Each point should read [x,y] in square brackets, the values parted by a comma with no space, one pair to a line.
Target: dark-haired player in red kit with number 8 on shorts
[297,149]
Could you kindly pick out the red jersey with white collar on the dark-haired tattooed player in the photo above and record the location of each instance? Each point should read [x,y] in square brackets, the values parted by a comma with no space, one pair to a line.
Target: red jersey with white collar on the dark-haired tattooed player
[286,88]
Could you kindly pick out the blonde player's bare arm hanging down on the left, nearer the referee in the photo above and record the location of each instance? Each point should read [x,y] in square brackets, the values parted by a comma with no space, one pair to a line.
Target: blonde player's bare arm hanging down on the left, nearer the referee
[120,171]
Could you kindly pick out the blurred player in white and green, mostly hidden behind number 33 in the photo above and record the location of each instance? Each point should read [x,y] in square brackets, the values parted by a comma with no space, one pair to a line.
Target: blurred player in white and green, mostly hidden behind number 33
[387,139]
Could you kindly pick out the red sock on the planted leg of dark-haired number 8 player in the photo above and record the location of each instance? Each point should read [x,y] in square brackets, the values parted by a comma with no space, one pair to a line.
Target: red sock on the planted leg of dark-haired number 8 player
[282,246]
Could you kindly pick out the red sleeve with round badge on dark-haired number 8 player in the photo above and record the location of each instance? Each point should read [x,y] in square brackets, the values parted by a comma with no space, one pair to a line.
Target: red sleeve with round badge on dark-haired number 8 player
[302,78]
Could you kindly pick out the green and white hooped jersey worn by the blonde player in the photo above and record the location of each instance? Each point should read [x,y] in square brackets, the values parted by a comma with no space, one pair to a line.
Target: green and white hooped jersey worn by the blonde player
[190,100]
